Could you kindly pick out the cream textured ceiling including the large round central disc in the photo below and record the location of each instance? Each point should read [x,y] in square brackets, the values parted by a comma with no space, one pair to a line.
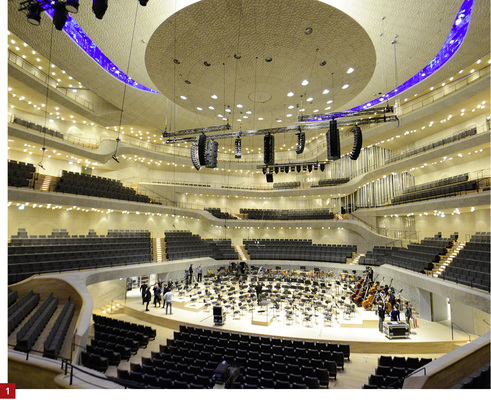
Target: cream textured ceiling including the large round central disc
[419,27]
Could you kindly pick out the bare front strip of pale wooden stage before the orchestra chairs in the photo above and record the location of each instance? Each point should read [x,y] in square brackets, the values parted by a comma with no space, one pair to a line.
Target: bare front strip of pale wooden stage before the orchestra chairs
[360,330]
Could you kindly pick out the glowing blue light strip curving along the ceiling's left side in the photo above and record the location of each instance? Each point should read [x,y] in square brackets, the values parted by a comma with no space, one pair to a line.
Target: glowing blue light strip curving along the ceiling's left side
[77,34]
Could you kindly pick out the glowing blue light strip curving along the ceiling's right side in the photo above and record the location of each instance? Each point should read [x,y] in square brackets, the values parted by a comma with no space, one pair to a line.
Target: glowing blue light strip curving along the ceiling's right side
[450,47]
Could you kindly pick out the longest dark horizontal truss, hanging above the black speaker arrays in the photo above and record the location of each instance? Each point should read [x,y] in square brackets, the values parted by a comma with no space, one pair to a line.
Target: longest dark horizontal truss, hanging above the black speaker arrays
[287,129]
